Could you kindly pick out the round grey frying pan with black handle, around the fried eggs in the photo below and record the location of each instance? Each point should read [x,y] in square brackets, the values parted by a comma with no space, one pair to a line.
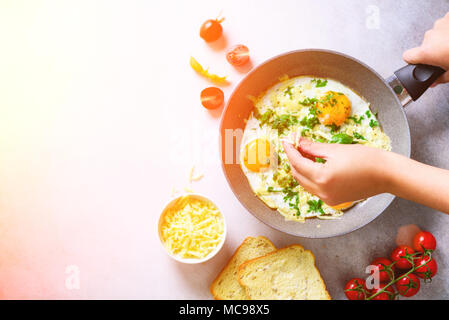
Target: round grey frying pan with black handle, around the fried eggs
[387,96]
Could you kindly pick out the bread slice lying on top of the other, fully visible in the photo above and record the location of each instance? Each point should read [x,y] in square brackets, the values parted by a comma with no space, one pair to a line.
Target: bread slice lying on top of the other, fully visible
[285,274]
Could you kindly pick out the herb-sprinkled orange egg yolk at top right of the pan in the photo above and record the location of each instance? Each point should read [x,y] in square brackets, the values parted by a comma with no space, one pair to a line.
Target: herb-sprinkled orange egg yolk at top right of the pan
[333,108]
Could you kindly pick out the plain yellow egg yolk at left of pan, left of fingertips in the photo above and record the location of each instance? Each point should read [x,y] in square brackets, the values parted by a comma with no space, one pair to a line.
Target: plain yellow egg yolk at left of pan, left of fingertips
[257,155]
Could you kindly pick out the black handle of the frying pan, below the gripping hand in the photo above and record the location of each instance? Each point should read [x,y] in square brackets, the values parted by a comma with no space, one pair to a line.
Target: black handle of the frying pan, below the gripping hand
[417,78]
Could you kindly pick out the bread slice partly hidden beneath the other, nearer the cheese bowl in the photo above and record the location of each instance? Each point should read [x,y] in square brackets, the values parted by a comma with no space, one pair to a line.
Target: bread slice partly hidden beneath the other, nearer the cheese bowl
[226,286]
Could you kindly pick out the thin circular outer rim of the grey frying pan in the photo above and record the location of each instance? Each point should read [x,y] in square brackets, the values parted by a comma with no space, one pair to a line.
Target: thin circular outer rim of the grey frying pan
[390,197]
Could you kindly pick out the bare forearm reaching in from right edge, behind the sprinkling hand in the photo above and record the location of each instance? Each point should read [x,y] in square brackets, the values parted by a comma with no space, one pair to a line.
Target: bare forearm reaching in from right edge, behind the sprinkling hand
[418,182]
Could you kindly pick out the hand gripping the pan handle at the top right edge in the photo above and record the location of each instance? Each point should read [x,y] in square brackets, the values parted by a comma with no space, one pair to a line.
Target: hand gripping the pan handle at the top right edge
[434,49]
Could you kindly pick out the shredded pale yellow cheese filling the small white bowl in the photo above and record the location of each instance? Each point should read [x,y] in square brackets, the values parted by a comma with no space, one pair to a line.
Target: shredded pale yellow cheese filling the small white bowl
[192,228]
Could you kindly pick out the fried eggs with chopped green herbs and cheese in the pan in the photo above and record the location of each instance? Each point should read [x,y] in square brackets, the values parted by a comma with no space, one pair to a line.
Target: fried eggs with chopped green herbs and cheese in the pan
[319,109]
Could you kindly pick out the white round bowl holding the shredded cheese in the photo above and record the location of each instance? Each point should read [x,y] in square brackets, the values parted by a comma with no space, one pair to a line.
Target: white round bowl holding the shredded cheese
[184,260]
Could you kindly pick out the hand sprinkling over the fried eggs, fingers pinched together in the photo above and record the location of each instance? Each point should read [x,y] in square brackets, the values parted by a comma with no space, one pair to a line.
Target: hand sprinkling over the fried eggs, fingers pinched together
[350,173]
